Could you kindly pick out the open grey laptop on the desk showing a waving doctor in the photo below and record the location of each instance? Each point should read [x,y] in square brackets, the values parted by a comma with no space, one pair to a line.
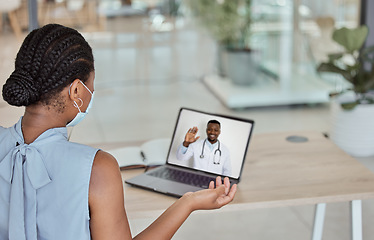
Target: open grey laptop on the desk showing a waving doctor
[191,168]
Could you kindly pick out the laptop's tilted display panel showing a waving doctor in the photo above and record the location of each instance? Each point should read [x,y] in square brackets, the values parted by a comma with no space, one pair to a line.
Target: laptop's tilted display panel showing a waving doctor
[215,143]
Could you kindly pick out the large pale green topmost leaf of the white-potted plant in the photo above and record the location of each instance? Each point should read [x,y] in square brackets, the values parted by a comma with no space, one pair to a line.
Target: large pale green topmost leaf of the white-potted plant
[351,39]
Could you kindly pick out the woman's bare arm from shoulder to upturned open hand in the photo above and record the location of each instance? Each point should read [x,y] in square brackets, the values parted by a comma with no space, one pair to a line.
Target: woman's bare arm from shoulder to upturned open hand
[108,216]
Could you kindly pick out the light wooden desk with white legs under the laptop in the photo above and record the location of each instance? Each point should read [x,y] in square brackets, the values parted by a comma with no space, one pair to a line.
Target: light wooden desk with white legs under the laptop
[279,173]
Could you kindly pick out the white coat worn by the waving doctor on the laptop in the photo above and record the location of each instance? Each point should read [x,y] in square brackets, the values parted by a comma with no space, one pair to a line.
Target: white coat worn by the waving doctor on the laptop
[210,157]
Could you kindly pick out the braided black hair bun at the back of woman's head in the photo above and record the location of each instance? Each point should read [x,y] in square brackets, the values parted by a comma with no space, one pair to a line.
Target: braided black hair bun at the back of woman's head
[19,89]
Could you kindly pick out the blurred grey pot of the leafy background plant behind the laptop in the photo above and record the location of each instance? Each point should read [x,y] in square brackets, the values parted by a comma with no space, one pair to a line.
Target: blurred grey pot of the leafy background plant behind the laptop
[241,66]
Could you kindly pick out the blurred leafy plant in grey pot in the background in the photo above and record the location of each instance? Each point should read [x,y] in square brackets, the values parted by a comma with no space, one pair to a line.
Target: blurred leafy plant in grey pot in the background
[228,21]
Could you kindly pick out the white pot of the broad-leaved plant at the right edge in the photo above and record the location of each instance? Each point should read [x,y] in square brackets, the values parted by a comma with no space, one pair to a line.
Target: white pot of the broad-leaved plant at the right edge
[353,130]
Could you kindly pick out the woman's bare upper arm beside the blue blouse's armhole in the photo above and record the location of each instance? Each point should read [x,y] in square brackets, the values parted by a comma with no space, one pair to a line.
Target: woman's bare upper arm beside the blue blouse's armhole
[106,200]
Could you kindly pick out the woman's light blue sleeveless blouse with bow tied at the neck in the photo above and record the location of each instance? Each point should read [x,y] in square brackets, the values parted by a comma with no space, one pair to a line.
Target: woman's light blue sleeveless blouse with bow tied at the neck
[44,186]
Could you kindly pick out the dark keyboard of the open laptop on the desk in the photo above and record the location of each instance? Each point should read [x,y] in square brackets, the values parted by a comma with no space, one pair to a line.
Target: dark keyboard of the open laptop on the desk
[183,177]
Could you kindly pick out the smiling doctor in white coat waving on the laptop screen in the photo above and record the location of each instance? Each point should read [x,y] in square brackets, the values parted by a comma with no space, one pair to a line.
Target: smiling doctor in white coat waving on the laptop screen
[209,154]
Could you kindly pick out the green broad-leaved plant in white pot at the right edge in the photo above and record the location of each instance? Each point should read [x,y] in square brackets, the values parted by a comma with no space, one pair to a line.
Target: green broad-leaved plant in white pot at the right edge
[352,109]
